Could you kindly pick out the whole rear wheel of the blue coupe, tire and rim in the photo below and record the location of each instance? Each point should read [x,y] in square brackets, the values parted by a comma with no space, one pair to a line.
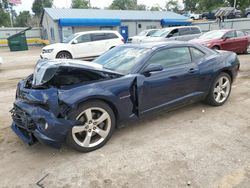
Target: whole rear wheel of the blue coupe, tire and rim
[220,90]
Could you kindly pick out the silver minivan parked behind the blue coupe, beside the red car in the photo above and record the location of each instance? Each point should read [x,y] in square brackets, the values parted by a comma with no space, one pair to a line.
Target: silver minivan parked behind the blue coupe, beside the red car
[182,33]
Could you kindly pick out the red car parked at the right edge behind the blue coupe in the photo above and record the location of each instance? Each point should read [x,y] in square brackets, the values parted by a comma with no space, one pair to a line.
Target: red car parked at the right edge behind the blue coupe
[231,40]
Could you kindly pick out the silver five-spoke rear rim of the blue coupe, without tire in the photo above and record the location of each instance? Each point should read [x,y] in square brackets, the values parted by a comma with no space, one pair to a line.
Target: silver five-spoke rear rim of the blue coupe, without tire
[221,89]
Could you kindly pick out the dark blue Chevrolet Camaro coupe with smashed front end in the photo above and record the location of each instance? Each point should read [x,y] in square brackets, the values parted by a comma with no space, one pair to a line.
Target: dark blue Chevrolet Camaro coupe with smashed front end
[81,103]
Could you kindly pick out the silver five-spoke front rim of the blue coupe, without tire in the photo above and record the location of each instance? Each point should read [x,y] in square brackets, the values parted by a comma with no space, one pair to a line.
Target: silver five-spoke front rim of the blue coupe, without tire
[95,128]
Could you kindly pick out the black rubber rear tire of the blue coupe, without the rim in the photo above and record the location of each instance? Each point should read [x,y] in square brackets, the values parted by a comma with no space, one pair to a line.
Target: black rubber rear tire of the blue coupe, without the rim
[210,99]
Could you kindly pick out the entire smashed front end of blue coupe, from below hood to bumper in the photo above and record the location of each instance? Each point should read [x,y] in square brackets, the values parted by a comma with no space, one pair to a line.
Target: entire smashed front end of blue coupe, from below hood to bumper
[37,116]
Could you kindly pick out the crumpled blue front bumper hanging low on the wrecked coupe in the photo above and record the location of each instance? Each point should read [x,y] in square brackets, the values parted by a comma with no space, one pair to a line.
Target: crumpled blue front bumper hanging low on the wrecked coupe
[33,123]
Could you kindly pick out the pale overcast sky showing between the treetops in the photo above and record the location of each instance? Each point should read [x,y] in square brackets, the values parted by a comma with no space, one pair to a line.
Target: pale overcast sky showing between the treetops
[26,4]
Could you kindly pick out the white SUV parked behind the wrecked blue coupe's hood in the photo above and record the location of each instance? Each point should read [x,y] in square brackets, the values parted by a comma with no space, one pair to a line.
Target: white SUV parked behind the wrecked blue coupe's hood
[88,44]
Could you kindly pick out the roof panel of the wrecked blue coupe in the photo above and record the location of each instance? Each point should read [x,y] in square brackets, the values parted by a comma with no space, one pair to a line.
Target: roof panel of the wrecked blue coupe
[155,45]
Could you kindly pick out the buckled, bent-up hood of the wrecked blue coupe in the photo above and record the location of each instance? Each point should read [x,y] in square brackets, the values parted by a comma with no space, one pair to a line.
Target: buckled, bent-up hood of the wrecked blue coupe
[66,72]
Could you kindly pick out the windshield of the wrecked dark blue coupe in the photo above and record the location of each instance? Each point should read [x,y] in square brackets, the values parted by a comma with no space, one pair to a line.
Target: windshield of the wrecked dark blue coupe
[122,59]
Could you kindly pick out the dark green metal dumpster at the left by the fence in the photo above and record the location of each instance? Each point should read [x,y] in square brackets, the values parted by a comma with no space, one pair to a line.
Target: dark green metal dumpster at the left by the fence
[18,42]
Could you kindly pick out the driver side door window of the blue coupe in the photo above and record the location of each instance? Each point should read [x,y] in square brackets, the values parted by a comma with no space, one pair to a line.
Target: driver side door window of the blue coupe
[170,57]
